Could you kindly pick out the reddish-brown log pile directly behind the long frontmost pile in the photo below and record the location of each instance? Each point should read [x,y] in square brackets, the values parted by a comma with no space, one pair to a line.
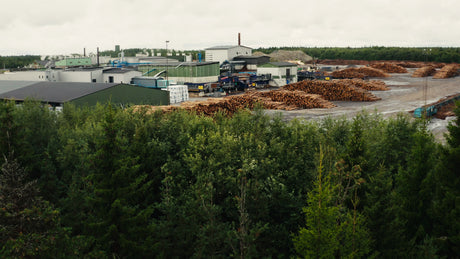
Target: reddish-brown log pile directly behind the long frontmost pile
[333,90]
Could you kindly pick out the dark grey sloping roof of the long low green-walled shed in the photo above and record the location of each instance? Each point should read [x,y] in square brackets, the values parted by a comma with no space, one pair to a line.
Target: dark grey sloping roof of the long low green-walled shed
[55,92]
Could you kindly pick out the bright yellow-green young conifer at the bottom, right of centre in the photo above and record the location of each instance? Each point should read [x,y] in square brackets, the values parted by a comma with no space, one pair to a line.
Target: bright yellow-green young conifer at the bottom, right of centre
[331,229]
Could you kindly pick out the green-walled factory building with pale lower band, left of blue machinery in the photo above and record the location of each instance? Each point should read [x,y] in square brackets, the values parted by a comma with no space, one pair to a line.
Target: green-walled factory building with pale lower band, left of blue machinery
[184,72]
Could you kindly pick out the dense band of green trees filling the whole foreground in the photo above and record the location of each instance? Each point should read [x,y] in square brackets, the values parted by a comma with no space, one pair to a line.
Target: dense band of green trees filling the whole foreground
[104,182]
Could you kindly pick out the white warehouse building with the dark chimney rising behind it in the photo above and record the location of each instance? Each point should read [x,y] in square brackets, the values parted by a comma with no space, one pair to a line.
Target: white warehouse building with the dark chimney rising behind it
[223,53]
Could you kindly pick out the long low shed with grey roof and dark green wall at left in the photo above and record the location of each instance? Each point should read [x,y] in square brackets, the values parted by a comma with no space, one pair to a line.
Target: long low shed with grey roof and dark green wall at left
[81,94]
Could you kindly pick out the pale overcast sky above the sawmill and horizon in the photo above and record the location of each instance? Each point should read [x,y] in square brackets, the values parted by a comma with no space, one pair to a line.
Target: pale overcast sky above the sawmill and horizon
[67,26]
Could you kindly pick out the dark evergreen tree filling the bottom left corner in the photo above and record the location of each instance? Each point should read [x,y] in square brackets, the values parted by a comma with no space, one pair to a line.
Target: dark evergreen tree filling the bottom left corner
[29,225]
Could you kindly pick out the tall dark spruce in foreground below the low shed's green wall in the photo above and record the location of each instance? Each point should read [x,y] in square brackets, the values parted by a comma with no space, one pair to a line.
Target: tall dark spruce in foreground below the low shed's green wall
[119,223]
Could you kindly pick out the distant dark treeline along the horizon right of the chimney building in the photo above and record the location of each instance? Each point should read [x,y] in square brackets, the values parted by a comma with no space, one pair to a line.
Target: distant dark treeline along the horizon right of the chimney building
[436,54]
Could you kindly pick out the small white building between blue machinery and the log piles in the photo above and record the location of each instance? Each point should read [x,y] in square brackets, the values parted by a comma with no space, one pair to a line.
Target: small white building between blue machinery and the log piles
[282,73]
